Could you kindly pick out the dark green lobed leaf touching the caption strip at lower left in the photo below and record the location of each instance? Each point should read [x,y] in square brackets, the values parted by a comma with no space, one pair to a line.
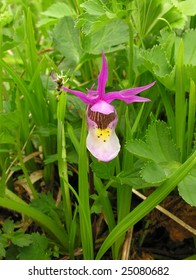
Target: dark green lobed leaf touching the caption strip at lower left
[38,250]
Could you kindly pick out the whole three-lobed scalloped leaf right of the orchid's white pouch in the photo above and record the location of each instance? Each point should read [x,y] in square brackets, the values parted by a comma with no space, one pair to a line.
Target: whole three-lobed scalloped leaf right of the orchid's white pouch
[160,152]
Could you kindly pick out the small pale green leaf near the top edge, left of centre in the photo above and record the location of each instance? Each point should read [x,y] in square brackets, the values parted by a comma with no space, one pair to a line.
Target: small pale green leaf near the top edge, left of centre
[59,10]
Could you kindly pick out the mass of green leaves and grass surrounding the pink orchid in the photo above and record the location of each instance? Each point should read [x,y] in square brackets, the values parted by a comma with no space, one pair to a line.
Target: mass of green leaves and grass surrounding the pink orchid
[43,130]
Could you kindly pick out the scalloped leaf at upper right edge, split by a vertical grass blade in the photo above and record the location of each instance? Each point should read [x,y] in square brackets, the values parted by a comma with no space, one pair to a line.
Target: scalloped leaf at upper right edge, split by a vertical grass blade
[161,59]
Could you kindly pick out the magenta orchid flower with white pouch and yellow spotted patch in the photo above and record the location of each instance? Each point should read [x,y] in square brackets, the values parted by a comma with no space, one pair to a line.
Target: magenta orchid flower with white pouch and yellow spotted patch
[102,117]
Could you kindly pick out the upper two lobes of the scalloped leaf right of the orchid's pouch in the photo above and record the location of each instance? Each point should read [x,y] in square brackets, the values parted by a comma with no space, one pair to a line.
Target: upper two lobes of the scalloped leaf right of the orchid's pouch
[158,147]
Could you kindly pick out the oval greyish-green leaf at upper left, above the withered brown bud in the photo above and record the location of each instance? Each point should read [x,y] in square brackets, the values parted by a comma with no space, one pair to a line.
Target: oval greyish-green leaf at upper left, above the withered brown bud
[67,40]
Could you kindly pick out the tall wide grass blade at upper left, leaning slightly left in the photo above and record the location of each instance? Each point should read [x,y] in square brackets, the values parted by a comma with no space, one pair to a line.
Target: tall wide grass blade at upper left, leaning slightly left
[33,67]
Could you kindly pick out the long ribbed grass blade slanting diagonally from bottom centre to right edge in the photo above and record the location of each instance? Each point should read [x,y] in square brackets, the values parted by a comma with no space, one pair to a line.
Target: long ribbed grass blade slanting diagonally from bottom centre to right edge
[148,205]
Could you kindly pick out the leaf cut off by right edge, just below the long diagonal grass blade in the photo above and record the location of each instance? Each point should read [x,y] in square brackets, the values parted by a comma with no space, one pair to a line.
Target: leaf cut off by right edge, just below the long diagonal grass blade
[187,188]
